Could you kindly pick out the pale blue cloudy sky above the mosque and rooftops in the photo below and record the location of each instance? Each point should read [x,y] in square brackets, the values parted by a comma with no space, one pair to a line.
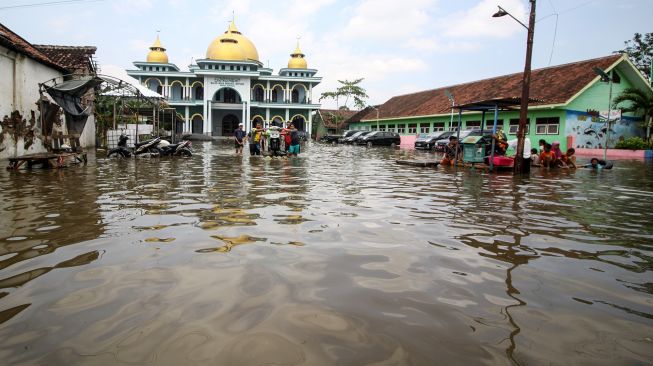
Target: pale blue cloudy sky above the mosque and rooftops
[397,46]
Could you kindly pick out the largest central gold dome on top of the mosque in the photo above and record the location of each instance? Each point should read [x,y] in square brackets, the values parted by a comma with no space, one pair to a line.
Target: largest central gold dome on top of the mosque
[232,46]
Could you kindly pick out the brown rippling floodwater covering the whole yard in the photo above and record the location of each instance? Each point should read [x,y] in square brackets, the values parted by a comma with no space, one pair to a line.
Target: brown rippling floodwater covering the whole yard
[337,257]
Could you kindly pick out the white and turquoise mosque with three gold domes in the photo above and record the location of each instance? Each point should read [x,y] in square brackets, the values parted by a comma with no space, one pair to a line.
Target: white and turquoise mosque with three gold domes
[232,86]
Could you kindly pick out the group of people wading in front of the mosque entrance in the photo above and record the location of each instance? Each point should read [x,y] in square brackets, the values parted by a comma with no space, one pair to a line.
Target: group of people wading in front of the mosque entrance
[257,136]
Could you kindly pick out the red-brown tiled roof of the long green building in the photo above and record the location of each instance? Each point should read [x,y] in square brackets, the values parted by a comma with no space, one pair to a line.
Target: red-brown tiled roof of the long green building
[552,85]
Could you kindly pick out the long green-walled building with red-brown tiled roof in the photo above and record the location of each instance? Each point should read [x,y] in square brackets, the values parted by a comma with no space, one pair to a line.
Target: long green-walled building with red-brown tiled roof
[567,96]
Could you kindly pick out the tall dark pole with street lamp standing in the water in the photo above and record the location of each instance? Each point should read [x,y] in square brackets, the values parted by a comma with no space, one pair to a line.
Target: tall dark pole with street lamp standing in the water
[520,167]
